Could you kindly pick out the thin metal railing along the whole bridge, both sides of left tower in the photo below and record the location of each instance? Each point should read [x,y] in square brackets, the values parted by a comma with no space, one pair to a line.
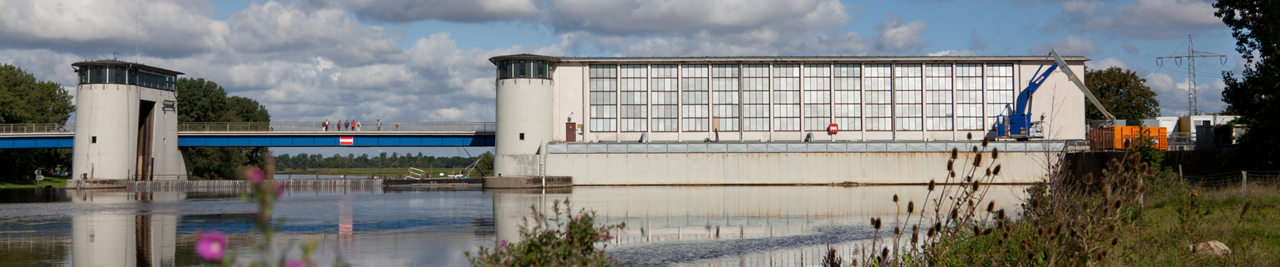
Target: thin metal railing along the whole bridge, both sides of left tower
[275,127]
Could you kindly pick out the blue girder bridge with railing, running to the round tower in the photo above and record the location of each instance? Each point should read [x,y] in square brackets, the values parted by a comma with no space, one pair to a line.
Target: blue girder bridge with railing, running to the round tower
[277,135]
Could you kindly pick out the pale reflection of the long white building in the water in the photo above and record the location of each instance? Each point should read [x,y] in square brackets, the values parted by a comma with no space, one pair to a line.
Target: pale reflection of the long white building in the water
[735,225]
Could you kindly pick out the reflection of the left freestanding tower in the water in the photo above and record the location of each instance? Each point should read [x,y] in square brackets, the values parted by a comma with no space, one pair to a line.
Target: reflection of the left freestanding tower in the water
[112,238]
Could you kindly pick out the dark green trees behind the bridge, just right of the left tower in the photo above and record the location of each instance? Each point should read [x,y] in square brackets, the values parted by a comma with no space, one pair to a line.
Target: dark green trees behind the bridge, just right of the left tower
[204,102]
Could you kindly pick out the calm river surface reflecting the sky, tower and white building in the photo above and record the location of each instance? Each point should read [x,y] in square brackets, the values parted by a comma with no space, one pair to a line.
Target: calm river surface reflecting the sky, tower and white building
[424,227]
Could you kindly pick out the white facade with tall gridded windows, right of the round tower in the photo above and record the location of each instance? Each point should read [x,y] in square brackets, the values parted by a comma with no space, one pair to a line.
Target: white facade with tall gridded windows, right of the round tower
[785,99]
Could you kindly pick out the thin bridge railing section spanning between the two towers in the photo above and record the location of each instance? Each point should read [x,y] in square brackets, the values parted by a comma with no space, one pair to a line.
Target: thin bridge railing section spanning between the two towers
[333,127]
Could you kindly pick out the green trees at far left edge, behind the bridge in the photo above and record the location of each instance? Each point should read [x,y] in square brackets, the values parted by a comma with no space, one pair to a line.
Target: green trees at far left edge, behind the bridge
[24,99]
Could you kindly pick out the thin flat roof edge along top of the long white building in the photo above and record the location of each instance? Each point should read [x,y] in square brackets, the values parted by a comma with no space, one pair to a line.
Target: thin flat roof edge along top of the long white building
[781,59]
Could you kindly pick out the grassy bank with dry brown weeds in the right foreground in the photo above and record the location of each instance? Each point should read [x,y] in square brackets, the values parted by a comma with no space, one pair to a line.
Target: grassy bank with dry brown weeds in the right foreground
[1133,215]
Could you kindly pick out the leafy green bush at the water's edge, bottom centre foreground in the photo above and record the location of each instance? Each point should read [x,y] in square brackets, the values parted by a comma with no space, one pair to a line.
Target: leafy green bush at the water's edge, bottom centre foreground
[570,243]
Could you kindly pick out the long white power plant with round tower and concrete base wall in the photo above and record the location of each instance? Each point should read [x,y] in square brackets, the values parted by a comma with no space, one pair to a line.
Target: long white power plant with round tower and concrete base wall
[774,121]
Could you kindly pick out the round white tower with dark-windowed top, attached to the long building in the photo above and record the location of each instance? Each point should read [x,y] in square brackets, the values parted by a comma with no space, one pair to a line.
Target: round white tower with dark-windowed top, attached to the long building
[524,114]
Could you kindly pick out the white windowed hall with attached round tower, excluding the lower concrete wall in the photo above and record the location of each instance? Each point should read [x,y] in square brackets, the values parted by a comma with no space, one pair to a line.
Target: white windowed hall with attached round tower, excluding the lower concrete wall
[548,104]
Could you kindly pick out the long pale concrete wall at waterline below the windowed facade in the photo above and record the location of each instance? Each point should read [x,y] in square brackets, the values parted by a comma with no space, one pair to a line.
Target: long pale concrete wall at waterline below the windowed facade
[813,168]
